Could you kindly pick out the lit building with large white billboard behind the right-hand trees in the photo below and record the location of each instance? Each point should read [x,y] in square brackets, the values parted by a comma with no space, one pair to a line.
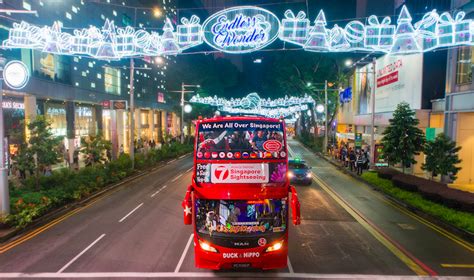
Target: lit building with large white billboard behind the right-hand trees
[355,113]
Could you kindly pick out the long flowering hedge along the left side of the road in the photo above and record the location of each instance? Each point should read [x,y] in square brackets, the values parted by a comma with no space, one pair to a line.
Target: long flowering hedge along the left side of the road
[65,186]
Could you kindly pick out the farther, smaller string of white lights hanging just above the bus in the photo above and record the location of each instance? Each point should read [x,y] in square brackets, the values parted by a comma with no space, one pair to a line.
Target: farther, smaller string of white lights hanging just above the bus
[252,104]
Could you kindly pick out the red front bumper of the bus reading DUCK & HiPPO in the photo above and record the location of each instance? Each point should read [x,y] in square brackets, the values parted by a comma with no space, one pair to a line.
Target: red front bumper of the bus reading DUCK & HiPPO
[229,258]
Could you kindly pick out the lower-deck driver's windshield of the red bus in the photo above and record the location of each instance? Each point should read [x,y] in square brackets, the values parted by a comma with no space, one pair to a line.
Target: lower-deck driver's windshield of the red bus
[240,217]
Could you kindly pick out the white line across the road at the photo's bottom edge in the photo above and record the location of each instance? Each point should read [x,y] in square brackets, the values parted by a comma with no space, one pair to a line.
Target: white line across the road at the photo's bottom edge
[249,275]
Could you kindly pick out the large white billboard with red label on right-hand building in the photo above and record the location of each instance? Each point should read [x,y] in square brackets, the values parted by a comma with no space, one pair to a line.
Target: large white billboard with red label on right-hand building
[397,79]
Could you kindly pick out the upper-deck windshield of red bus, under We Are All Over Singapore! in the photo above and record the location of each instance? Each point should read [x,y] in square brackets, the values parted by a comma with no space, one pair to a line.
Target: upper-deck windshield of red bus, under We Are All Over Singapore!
[240,140]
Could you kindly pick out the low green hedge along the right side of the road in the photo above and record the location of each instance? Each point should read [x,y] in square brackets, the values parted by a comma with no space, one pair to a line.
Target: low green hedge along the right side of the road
[460,219]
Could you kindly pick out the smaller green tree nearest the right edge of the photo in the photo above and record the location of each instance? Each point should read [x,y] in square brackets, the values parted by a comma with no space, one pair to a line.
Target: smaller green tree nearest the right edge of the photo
[442,157]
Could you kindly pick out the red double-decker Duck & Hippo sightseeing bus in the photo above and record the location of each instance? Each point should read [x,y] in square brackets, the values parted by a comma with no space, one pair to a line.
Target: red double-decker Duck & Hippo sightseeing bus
[240,195]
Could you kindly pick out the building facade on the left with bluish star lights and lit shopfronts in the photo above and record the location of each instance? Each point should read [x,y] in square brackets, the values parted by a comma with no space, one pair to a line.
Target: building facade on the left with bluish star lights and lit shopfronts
[82,96]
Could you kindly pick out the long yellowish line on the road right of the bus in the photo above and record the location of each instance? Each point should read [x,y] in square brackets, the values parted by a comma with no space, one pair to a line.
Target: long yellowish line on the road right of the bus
[401,253]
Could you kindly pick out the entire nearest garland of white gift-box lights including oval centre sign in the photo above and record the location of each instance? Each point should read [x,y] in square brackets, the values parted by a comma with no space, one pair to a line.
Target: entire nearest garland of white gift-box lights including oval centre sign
[433,31]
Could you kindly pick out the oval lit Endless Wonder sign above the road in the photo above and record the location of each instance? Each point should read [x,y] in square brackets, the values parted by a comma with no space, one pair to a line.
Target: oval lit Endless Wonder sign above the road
[241,29]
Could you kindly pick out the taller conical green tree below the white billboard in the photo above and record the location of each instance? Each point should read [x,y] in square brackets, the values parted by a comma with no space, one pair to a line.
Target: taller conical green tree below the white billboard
[402,139]
